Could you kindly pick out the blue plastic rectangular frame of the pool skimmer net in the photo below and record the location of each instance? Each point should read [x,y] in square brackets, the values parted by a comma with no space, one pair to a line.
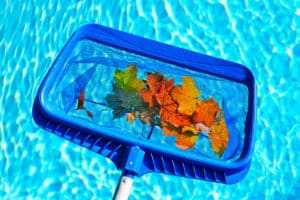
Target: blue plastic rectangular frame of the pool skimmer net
[152,158]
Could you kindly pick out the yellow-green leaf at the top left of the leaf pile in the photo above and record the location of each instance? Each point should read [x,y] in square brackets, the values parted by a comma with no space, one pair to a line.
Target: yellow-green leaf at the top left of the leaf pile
[127,80]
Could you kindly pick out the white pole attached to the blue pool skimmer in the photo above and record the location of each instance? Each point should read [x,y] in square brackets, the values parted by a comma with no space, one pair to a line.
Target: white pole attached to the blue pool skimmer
[124,188]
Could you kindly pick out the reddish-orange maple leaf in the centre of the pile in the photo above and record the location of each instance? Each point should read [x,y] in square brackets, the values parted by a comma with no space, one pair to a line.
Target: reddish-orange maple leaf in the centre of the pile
[168,112]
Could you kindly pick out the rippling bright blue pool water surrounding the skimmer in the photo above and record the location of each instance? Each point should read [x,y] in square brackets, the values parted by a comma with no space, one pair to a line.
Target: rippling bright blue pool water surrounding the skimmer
[262,35]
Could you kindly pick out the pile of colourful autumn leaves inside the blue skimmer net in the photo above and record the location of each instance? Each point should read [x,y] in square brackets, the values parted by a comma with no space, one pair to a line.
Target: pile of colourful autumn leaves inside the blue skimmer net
[176,109]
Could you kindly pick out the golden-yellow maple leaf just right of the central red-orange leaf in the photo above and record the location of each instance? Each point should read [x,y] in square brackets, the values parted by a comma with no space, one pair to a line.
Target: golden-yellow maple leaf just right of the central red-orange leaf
[186,96]
